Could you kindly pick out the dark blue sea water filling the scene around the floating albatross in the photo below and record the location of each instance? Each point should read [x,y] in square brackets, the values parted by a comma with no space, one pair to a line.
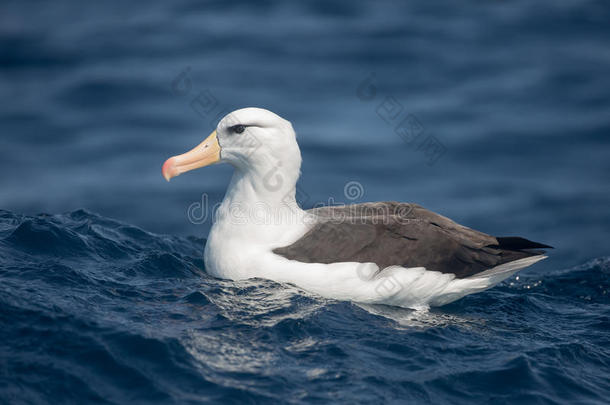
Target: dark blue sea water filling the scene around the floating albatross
[120,310]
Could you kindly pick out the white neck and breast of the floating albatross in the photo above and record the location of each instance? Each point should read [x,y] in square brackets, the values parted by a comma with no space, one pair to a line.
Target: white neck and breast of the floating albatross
[258,213]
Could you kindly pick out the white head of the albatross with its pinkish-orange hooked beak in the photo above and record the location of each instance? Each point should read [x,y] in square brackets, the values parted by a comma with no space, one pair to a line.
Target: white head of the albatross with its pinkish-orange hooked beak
[257,142]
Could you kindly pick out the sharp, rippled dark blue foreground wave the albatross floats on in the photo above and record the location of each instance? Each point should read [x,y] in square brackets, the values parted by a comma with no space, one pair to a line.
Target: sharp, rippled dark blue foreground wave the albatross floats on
[95,310]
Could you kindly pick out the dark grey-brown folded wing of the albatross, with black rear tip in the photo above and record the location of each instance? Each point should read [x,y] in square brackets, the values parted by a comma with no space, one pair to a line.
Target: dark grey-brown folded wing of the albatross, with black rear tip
[391,233]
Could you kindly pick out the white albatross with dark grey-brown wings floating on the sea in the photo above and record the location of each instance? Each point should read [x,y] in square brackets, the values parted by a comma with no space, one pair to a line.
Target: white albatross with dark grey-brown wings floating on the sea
[390,253]
